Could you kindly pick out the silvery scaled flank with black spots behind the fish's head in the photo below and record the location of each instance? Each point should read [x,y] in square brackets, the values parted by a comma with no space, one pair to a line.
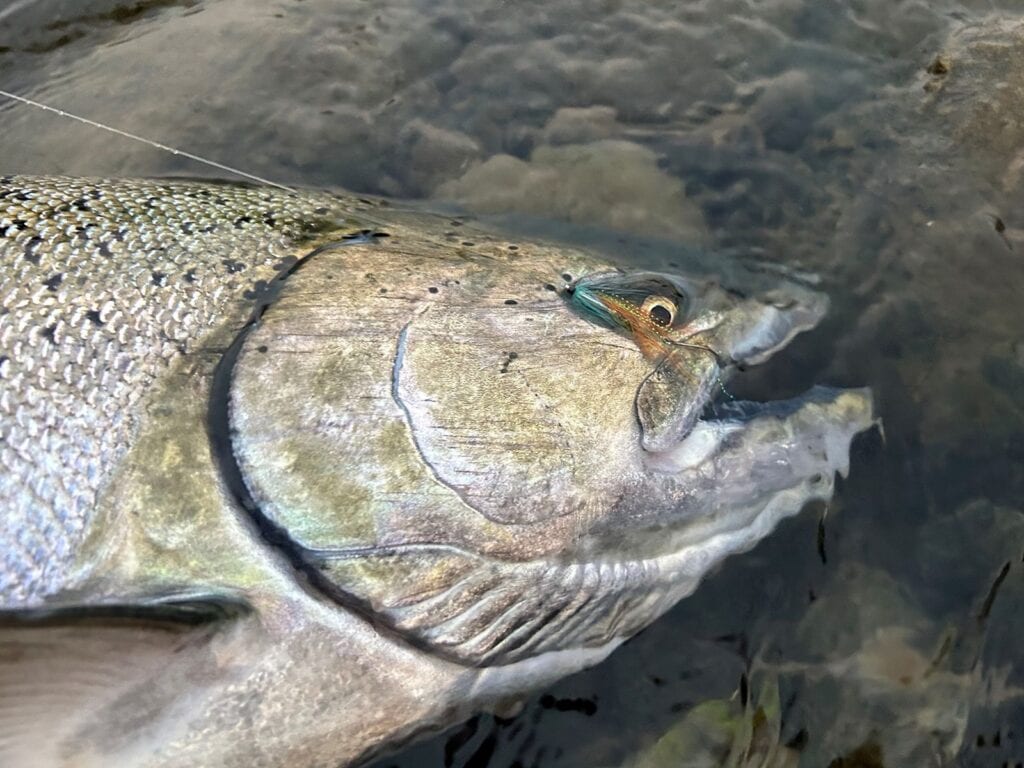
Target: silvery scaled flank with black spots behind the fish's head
[104,285]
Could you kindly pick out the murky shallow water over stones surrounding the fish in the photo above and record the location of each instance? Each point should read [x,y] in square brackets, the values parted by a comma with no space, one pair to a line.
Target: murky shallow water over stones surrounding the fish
[875,143]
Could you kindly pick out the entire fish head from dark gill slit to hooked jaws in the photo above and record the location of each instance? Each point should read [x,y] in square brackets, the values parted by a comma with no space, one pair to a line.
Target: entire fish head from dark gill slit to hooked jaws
[460,449]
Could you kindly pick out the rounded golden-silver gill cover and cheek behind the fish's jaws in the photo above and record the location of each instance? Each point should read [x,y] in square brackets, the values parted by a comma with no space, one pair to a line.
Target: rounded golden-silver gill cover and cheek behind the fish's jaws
[423,456]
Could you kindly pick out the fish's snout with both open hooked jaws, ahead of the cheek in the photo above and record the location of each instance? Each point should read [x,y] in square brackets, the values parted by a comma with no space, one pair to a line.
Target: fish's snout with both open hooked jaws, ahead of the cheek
[724,473]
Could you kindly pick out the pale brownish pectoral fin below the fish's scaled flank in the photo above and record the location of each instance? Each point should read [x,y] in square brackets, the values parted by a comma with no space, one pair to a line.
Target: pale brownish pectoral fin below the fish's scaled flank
[95,687]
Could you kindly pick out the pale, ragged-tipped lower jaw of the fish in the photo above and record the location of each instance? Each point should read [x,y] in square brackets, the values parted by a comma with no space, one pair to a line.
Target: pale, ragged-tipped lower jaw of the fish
[744,467]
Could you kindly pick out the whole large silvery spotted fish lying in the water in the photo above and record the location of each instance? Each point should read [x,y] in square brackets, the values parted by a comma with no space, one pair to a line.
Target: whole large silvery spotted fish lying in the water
[291,478]
